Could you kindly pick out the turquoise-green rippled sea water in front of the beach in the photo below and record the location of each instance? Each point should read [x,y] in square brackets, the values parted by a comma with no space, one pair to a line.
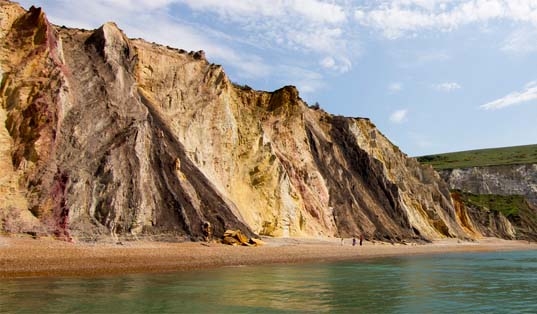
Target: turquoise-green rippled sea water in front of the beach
[503,282]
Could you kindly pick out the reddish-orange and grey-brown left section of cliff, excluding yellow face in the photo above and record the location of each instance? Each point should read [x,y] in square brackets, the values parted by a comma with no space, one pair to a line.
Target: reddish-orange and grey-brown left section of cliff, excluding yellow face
[87,154]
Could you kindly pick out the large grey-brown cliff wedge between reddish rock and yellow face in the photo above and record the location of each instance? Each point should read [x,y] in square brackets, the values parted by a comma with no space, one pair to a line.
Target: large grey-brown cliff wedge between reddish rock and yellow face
[157,200]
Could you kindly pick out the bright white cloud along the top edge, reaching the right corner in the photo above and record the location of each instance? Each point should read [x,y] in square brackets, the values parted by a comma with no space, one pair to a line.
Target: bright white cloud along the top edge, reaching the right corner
[406,17]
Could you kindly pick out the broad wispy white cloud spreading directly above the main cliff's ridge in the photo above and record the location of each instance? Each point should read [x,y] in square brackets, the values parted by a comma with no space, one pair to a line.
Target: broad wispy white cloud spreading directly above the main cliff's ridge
[240,36]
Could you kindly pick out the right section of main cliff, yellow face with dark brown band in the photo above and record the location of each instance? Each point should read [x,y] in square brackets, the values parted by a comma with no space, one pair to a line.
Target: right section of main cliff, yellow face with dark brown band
[289,169]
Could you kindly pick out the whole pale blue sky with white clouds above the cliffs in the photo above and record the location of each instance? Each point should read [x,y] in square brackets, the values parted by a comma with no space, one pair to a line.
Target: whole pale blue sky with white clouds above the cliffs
[434,76]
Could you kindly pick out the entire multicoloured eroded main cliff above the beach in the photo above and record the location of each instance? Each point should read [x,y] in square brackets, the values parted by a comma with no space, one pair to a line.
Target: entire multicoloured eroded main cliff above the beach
[107,135]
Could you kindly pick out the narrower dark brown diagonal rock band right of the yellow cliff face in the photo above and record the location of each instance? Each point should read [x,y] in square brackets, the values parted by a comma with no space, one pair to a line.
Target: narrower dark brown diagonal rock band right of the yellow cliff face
[362,200]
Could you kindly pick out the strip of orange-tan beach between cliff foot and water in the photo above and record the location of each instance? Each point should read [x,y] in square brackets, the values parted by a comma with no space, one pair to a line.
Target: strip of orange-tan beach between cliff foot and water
[27,257]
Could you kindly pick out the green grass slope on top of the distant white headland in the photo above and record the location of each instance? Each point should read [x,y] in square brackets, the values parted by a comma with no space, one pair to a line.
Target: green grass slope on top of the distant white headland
[516,155]
